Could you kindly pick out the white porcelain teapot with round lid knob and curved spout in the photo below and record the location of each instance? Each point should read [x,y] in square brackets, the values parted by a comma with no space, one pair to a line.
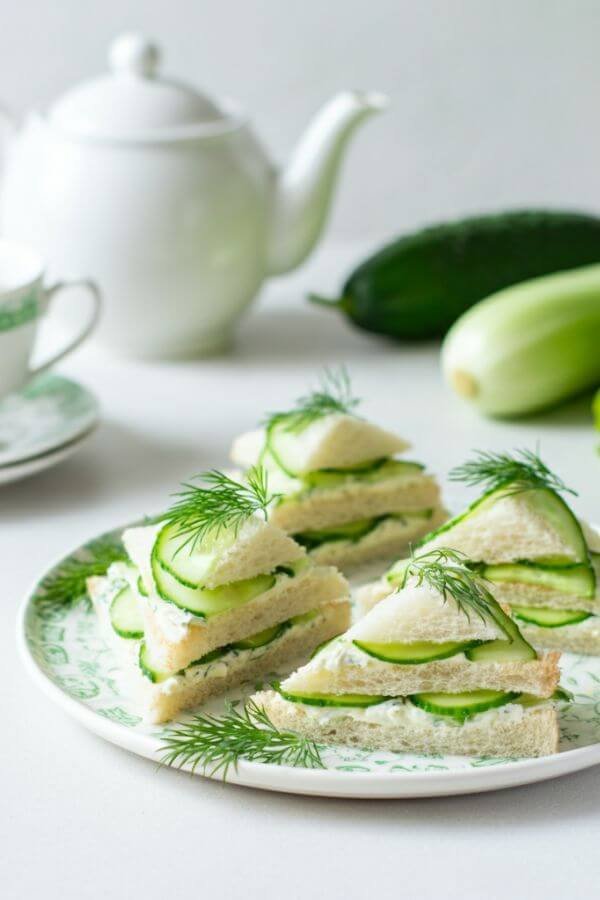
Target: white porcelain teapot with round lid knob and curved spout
[167,200]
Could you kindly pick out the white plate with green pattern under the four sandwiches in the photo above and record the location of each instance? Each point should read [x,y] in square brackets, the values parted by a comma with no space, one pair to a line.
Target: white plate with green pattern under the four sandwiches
[70,661]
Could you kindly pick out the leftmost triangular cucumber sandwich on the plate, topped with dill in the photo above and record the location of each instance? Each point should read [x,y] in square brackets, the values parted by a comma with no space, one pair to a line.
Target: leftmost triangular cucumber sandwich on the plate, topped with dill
[212,596]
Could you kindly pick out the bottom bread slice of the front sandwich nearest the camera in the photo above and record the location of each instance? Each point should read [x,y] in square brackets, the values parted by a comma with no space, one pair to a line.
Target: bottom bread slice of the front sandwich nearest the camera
[534,732]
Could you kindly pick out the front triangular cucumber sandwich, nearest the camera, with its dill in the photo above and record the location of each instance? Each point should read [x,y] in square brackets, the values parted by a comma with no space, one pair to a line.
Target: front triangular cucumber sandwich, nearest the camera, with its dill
[436,667]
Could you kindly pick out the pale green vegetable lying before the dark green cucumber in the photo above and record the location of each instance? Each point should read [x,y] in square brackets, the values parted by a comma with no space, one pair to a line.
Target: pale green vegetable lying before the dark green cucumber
[529,346]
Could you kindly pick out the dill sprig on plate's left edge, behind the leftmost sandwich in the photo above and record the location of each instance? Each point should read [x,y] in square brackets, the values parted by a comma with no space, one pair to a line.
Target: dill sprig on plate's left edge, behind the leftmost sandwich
[67,583]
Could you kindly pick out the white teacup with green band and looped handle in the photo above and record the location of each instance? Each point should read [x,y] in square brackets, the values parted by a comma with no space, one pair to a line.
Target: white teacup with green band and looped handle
[23,301]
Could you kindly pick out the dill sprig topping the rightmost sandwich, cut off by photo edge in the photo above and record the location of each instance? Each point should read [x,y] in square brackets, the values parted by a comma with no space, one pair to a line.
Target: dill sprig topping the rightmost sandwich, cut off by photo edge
[523,470]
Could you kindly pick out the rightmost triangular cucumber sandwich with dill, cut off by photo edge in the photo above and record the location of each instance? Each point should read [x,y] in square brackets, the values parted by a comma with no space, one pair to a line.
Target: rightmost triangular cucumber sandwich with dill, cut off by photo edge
[523,537]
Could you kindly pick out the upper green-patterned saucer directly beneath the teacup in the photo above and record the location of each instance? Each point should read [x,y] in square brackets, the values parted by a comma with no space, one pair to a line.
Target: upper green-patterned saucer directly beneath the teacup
[43,418]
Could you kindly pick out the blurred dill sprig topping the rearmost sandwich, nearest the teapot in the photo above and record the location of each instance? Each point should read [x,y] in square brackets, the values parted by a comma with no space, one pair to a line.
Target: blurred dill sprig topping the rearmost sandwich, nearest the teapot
[334,394]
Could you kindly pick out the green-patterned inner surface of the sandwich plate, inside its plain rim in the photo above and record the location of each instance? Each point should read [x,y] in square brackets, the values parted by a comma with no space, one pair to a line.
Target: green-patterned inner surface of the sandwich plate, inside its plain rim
[68,647]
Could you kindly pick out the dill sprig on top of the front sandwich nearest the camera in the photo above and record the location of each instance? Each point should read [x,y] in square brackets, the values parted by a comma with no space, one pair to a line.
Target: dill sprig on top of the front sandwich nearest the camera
[448,572]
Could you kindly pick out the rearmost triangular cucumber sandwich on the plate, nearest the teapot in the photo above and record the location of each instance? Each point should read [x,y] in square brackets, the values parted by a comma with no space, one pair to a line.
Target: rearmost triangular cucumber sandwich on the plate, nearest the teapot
[343,494]
